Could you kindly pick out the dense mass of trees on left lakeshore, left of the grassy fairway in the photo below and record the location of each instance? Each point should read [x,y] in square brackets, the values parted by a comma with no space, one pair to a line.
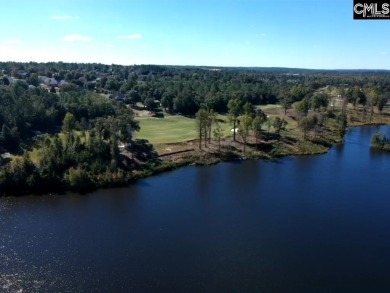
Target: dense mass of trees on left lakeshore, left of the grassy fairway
[76,136]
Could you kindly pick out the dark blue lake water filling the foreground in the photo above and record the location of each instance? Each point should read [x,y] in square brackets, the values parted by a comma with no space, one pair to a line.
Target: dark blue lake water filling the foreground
[298,224]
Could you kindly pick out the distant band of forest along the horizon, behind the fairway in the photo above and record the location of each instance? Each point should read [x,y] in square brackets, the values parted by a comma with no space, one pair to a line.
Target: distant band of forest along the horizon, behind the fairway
[185,90]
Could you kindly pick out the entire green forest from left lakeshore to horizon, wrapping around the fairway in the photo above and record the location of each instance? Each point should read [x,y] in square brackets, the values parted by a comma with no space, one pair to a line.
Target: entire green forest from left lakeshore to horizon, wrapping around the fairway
[70,126]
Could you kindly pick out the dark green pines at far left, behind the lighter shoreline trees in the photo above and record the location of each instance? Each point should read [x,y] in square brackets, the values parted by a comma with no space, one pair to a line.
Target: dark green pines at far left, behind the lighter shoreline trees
[24,112]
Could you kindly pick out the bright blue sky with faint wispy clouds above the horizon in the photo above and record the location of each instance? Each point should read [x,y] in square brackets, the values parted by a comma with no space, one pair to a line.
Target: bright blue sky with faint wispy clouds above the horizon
[285,33]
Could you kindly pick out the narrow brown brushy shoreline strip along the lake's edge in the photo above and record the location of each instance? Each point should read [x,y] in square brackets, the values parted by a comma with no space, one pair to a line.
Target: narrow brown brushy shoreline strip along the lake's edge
[195,157]
